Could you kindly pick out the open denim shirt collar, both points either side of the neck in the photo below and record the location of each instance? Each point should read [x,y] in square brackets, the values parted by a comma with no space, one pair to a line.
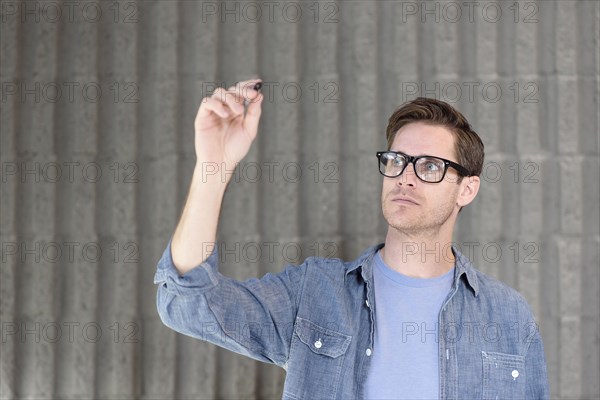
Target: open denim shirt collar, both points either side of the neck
[462,266]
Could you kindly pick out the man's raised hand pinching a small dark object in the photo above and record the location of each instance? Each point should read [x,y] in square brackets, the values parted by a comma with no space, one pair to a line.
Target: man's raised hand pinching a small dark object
[223,133]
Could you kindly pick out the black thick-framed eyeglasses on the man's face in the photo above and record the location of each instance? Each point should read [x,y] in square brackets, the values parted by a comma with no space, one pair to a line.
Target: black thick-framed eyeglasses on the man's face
[429,169]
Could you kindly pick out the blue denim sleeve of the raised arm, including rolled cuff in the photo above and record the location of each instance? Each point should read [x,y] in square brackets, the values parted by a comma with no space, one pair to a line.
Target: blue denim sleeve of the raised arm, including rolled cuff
[254,317]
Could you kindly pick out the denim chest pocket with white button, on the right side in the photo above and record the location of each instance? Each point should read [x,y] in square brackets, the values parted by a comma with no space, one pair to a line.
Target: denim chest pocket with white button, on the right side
[503,376]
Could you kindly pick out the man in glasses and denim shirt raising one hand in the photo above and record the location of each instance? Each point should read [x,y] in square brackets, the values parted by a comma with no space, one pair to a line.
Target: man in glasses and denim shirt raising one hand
[408,319]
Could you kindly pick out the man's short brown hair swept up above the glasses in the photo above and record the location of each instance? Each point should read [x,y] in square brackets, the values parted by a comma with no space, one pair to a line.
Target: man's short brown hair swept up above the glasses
[467,145]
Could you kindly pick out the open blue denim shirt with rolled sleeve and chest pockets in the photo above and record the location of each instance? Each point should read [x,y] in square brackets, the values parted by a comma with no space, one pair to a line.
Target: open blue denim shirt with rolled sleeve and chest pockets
[317,320]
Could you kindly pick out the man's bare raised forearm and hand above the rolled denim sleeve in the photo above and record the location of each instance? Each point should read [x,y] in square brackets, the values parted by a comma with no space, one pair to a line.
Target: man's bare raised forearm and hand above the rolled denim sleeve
[223,135]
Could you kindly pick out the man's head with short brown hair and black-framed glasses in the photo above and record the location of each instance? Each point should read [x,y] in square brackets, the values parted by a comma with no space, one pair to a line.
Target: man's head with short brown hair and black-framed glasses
[428,127]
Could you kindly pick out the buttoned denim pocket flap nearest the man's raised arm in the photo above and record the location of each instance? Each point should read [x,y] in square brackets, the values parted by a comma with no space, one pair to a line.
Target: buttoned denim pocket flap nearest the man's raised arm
[321,340]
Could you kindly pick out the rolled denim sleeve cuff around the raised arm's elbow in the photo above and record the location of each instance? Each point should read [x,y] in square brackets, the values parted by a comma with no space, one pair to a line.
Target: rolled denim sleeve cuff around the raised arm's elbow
[194,282]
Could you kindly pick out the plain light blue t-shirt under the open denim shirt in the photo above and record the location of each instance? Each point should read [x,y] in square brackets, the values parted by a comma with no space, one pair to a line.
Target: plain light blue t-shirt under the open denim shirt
[405,362]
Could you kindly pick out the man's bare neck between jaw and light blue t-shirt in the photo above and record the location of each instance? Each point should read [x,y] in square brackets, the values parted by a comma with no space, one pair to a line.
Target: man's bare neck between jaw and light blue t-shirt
[420,254]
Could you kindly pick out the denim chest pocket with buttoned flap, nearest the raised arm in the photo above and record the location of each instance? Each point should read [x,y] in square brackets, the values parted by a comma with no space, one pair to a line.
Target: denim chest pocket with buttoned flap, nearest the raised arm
[316,361]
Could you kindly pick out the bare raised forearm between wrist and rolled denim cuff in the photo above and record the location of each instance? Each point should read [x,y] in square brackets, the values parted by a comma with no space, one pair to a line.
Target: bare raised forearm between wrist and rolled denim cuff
[195,235]
